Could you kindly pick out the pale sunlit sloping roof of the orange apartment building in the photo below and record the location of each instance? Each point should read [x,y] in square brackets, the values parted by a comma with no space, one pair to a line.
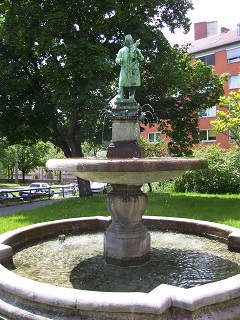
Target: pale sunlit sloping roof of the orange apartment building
[213,41]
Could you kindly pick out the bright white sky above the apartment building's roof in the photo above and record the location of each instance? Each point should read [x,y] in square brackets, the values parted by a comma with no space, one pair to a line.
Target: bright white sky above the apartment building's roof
[225,12]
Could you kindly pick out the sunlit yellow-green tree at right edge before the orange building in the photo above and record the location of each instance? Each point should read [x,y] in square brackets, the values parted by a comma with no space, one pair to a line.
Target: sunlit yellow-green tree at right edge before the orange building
[228,121]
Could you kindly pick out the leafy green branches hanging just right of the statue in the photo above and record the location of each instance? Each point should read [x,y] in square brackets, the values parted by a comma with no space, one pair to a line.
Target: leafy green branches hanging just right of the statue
[178,89]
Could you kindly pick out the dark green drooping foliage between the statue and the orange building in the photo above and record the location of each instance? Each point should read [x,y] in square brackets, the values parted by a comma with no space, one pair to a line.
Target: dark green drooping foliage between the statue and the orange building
[195,87]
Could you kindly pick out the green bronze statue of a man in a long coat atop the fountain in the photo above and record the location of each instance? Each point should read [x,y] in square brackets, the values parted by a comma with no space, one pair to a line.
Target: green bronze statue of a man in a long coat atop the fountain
[128,57]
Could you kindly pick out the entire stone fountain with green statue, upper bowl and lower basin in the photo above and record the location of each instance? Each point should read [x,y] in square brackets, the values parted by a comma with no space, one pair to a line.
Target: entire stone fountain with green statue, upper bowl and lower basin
[127,240]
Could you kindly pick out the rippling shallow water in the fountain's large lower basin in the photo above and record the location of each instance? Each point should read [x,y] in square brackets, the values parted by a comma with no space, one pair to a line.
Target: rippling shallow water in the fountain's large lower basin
[176,259]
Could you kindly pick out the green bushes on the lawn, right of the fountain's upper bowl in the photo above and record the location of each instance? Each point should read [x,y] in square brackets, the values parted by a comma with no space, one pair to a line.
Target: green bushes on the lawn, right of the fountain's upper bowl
[221,177]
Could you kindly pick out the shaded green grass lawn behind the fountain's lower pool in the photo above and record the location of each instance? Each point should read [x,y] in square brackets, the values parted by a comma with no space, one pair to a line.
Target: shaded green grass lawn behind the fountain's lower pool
[216,208]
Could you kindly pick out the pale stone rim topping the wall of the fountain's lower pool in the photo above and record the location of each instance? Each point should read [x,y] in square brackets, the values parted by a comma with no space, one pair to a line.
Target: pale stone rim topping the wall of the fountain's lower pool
[157,301]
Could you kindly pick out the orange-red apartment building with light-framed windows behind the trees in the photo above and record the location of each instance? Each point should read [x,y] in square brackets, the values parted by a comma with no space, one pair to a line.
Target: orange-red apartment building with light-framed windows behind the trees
[221,50]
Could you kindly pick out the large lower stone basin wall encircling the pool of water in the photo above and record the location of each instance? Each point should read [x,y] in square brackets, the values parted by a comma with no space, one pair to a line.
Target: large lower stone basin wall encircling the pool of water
[22,298]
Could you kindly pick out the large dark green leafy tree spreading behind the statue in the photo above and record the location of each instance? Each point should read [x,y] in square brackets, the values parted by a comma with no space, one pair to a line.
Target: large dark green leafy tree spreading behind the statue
[58,70]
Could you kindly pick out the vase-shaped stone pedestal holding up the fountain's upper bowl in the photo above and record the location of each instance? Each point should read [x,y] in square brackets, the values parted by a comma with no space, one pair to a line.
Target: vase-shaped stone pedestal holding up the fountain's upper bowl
[126,241]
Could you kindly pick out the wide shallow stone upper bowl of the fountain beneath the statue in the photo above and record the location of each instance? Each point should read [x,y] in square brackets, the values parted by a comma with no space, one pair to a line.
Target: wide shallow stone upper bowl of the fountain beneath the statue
[132,171]
